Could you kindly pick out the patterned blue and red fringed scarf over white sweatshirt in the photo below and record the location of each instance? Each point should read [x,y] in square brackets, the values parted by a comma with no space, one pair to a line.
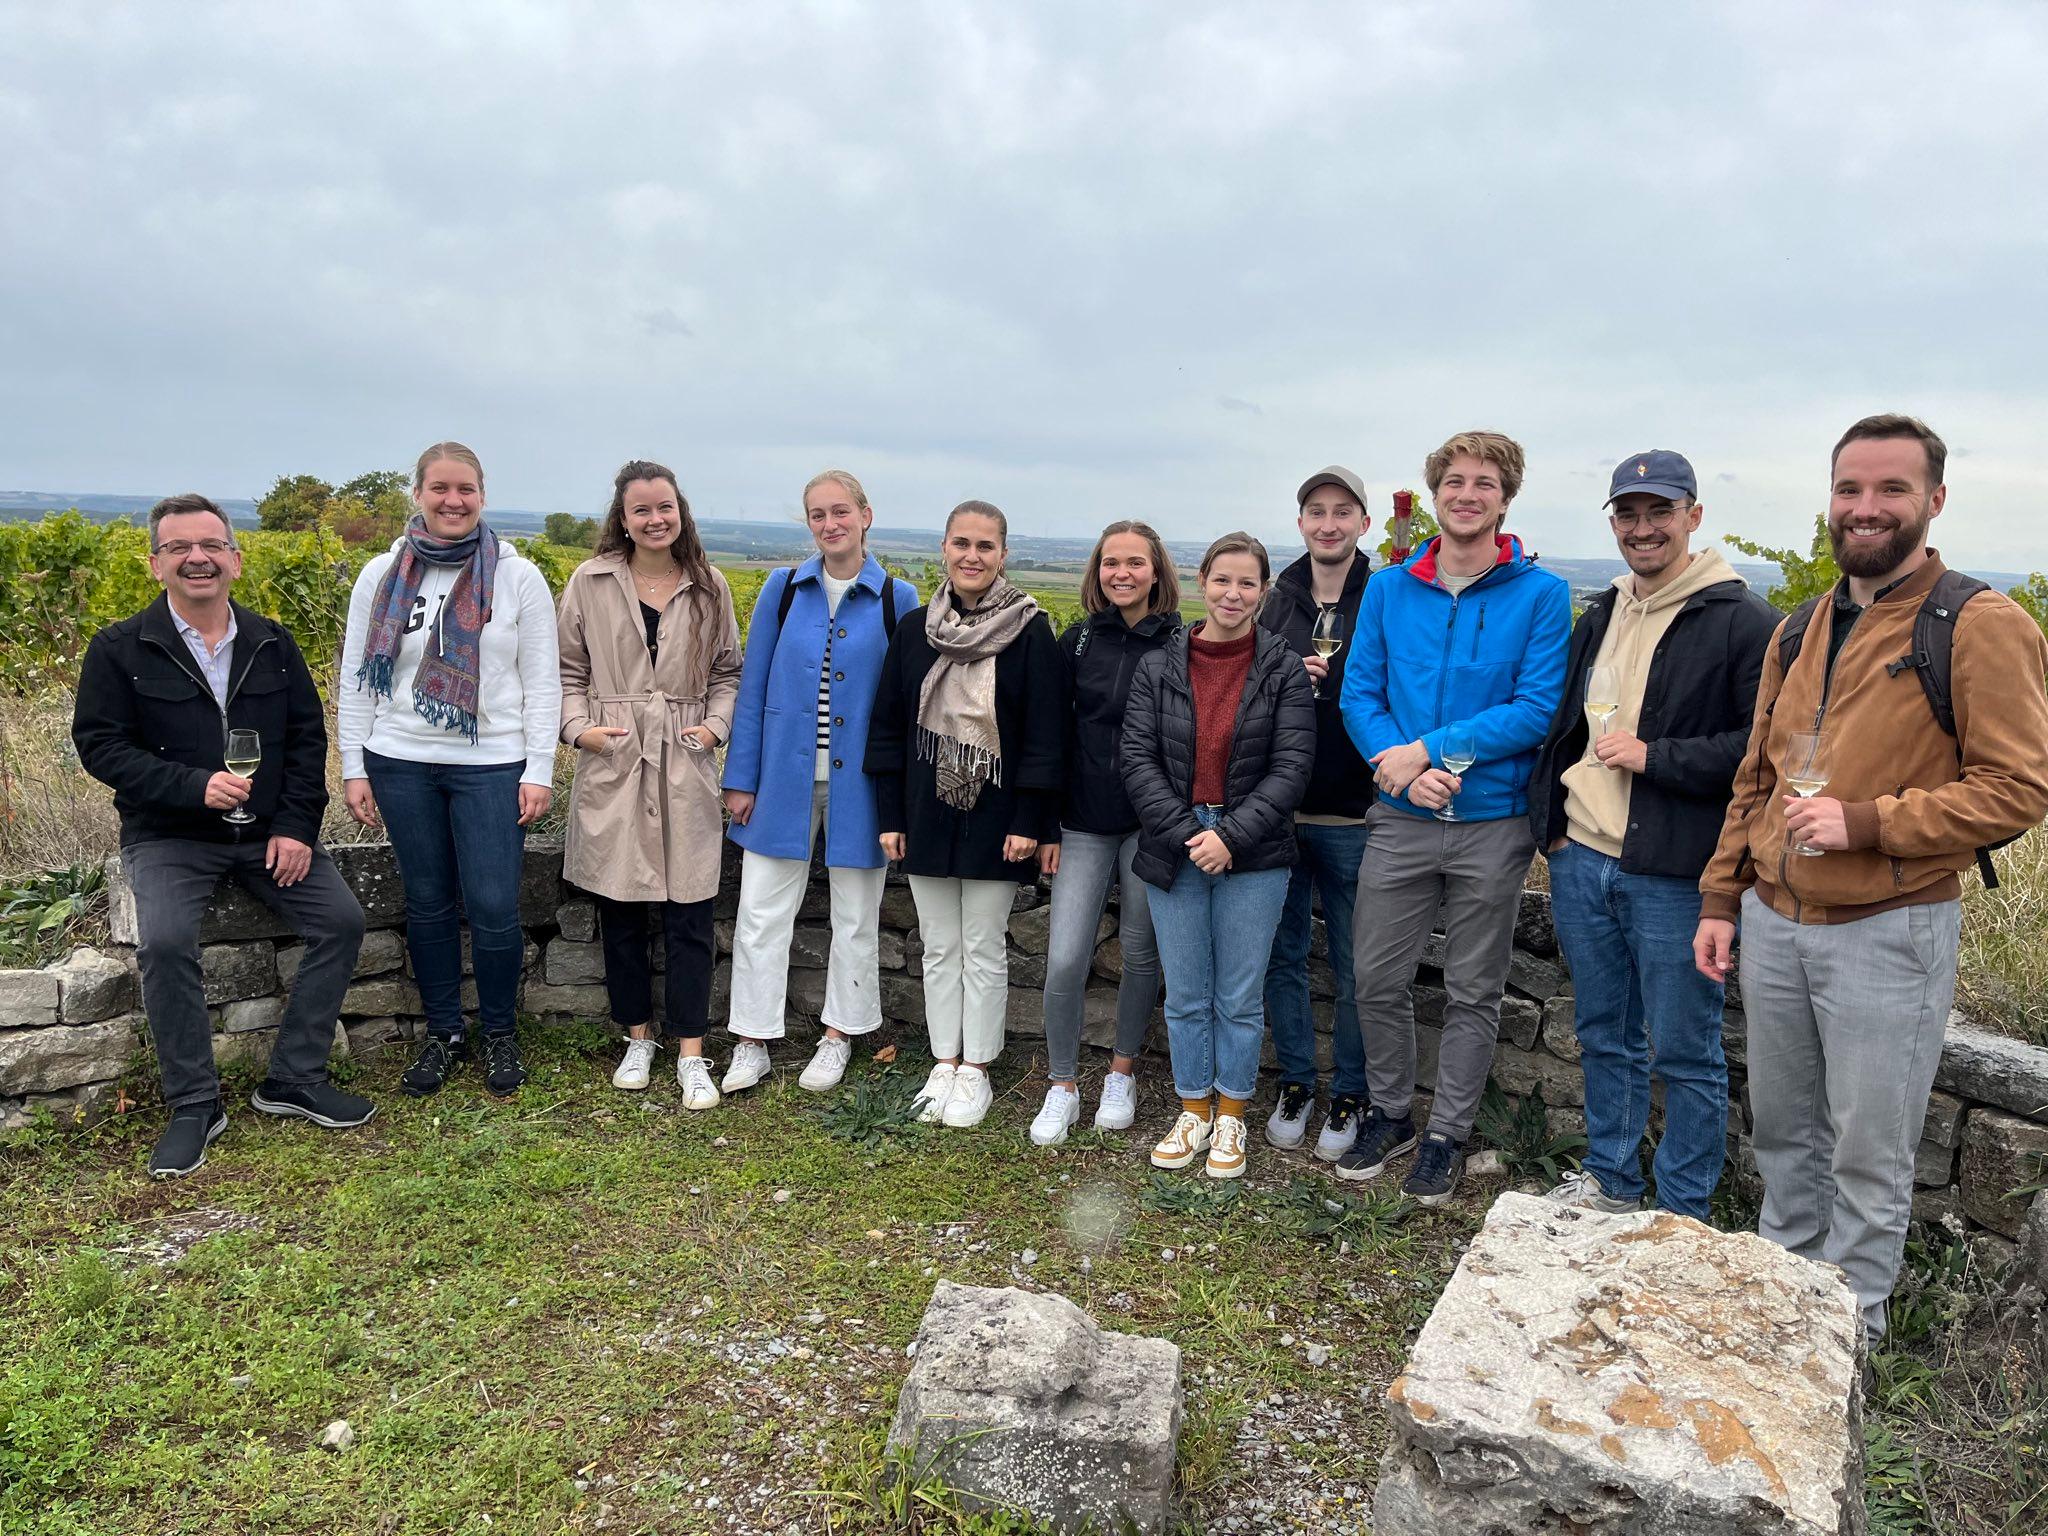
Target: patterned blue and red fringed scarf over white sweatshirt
[445,685]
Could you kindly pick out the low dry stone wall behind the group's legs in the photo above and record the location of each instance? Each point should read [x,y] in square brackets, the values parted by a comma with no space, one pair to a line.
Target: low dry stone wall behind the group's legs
[71,1035]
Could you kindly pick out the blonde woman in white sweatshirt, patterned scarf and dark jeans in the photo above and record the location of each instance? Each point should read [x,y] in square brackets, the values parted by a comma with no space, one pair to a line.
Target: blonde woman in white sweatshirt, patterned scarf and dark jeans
[447,714]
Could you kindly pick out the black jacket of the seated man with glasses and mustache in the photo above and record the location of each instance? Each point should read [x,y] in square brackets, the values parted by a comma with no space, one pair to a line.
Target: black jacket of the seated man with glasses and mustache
[146,724]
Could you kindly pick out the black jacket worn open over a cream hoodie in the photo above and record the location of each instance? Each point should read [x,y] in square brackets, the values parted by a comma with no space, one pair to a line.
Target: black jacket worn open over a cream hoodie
[1697,712]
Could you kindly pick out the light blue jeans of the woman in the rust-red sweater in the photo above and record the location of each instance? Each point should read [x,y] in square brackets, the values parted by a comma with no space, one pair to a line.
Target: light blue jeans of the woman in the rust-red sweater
[1215,933]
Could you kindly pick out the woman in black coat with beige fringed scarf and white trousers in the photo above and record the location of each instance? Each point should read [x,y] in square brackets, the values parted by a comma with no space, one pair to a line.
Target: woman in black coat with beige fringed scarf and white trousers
[966,749]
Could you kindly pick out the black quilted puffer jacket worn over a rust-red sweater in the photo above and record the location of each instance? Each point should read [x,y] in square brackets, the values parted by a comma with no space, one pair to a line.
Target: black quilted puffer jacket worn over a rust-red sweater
[1273,753]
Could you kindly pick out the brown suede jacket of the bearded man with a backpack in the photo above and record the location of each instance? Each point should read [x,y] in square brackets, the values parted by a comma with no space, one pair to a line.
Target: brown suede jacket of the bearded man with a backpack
[1918,804]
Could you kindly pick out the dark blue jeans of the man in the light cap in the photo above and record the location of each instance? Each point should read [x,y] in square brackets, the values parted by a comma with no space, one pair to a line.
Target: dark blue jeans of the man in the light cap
[1330,859]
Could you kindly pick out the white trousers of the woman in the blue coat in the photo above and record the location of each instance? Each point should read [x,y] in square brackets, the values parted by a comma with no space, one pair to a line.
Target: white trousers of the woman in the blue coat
[771,890]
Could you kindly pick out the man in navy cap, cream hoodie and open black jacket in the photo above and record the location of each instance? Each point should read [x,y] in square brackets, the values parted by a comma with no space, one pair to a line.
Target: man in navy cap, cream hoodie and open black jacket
[1666,665]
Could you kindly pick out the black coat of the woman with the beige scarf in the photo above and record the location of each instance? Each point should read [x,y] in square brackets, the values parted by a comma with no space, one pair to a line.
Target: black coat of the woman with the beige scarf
[1029,703]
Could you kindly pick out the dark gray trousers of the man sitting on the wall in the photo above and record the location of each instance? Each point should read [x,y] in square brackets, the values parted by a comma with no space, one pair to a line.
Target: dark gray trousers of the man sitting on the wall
[173,880]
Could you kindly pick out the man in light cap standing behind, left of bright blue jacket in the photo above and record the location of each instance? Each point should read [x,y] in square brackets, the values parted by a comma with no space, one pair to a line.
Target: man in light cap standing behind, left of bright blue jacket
[1330,828]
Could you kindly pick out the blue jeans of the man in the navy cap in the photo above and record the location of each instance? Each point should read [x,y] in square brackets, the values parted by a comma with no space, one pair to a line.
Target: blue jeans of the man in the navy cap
[1629,945]
